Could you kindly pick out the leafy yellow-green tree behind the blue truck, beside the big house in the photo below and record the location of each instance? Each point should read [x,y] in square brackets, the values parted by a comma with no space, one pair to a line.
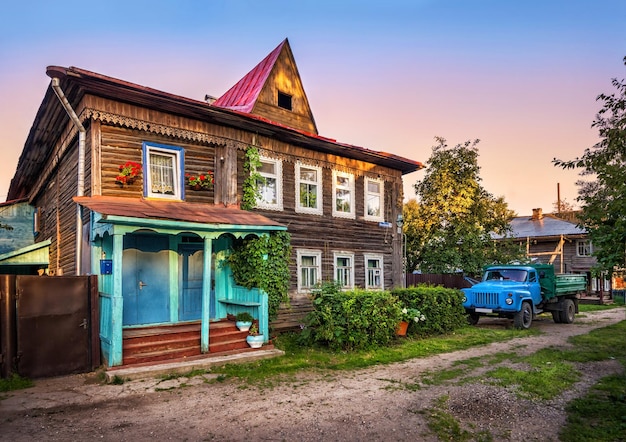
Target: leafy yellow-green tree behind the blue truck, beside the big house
[450,227]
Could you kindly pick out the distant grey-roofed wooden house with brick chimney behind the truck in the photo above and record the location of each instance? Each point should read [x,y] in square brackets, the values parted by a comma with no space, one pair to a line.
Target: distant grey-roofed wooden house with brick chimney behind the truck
[550,239]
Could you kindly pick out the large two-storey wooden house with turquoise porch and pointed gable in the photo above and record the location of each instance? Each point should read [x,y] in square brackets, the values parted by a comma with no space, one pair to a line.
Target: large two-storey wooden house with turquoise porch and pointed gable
[158,246]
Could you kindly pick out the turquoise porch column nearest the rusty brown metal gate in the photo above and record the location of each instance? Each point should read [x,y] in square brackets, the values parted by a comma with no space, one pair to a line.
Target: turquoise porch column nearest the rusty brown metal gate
[117,305]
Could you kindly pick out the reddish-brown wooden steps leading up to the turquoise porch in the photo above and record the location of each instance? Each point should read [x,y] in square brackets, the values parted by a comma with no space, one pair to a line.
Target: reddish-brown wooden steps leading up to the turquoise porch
[171,342]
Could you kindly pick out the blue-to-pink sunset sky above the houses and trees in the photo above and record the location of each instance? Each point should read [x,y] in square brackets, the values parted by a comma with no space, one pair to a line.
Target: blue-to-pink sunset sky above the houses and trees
[521,76]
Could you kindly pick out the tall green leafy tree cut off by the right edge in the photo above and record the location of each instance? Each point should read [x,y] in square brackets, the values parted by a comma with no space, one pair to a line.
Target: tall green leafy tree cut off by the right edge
[603,198]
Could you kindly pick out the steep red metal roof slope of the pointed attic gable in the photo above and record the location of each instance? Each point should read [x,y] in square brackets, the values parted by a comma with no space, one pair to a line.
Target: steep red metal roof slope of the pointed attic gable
[242,96]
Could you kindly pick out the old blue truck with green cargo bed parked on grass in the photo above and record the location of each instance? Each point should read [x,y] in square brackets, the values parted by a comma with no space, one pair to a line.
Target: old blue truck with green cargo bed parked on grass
[520,292]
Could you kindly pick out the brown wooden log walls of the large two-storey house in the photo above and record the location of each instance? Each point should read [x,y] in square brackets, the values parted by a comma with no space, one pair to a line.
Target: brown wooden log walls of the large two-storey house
[113,139]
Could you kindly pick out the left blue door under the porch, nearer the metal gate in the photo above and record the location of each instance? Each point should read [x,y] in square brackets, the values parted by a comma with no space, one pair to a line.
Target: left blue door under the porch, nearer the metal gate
[145,279]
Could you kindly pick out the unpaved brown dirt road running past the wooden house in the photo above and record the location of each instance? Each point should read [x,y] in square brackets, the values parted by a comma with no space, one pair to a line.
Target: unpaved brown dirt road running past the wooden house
[367,405]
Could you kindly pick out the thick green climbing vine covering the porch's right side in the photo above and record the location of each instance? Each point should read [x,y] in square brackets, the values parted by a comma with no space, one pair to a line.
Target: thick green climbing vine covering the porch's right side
[263,262]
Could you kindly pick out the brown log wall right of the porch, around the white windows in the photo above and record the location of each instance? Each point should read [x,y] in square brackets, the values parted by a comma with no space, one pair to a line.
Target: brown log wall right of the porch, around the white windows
[329,234]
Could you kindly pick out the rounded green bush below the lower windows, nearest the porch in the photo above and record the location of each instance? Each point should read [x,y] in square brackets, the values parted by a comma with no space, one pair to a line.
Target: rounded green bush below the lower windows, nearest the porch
[351,320]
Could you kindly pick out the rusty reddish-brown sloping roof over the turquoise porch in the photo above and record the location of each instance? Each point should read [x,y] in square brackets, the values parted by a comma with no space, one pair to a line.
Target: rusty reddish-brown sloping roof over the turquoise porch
[109,206]
